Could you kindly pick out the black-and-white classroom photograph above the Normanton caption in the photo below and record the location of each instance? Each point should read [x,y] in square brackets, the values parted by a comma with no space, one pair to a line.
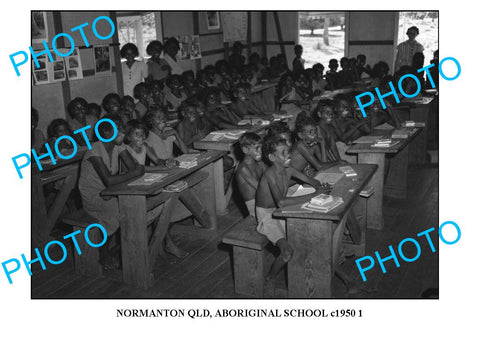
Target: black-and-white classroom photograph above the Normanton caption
[287,191]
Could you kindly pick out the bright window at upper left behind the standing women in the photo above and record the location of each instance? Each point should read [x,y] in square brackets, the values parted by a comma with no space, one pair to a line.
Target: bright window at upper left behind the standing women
[137,28]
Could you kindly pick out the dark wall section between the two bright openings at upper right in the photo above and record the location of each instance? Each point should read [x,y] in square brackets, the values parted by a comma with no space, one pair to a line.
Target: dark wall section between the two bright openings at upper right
[373,34]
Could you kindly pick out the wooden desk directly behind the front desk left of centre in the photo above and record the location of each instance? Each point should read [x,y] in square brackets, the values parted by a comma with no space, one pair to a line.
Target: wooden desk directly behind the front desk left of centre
[222,196]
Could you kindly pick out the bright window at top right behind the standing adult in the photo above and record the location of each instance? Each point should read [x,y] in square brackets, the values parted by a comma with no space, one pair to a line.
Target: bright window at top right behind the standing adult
[427,23]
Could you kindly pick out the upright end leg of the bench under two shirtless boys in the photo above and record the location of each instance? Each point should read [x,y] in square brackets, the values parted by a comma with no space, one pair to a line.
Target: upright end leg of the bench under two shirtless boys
[249,271]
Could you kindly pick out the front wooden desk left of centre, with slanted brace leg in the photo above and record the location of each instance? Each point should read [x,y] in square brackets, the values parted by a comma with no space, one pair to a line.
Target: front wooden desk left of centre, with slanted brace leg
[140,205]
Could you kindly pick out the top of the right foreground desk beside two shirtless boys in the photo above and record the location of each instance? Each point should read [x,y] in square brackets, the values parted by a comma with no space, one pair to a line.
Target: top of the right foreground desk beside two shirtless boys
[347,187]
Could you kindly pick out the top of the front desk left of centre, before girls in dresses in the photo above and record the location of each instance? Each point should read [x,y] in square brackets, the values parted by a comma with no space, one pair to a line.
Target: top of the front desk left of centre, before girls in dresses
[174,174]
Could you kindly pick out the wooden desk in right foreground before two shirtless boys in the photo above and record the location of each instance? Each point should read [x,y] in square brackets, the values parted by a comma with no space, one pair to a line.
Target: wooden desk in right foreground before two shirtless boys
[316,237]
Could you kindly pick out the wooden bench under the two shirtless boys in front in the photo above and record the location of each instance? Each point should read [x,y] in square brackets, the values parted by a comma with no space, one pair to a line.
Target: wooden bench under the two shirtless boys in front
[249,260]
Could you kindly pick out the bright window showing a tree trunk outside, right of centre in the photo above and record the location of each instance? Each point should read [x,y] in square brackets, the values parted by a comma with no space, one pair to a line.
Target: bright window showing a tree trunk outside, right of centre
[322,35]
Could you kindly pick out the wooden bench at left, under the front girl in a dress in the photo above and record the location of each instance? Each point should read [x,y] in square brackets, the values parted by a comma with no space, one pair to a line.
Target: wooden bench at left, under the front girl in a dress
[88,263]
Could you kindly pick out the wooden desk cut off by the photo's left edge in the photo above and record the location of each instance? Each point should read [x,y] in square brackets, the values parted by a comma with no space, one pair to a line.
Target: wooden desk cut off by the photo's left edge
[43,219]
